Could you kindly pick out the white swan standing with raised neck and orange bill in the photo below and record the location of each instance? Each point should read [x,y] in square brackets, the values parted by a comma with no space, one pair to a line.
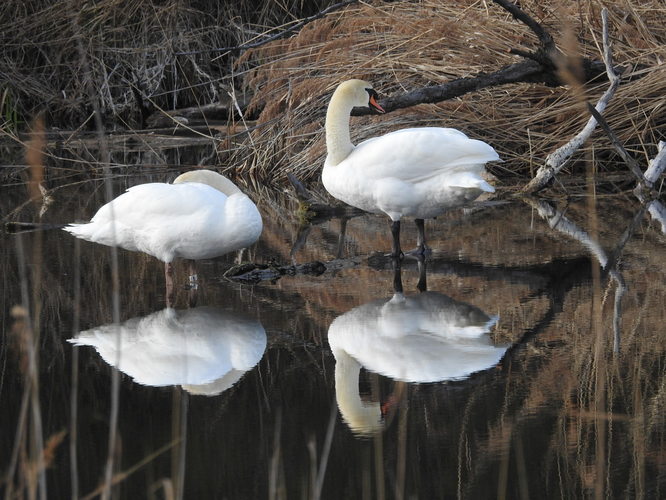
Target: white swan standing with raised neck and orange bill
[413,172]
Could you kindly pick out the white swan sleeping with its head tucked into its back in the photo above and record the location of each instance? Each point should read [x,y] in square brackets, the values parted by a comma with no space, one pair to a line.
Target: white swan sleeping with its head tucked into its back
[200,216]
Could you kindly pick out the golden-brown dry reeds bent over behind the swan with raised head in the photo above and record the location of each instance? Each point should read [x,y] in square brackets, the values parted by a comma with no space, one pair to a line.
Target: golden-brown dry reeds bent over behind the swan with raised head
[404,46]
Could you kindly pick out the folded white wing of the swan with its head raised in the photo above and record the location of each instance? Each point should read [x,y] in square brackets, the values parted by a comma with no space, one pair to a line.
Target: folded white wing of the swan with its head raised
[418,154]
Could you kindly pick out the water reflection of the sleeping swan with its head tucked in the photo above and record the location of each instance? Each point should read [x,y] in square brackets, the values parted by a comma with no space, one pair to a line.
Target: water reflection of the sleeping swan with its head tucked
[206,350]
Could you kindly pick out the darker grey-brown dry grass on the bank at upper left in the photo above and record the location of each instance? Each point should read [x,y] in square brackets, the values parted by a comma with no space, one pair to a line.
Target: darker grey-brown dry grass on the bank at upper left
[144,44]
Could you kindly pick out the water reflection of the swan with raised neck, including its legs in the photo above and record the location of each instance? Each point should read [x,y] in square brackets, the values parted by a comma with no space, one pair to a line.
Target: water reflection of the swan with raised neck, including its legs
[426,337]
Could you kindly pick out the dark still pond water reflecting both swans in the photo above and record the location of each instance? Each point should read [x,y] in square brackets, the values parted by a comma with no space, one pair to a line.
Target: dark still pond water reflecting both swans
[563,398]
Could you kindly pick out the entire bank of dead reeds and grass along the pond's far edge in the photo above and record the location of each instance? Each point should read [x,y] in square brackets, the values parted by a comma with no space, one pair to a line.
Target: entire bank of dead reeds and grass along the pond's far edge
[147,60]
